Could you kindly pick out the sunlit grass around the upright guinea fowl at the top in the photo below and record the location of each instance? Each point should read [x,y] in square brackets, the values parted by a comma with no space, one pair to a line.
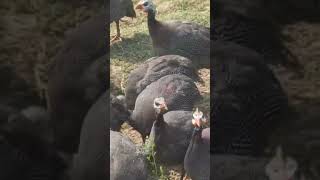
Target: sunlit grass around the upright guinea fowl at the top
[136,47]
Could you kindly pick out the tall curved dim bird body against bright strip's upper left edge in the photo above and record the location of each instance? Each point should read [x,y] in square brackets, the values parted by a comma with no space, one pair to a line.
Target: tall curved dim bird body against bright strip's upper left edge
[76,79]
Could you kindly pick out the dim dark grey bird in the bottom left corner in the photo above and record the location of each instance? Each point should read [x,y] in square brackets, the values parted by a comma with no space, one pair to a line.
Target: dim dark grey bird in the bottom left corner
[26,151]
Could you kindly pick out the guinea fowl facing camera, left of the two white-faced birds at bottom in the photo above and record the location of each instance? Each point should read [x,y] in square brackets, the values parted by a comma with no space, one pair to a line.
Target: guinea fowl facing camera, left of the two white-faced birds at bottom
[171,132]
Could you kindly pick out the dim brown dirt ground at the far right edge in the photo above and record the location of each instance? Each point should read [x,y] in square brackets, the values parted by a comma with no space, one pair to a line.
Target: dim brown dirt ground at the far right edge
[304,43]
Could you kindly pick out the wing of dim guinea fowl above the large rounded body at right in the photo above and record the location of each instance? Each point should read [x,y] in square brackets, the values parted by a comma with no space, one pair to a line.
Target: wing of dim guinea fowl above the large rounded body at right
[252,34]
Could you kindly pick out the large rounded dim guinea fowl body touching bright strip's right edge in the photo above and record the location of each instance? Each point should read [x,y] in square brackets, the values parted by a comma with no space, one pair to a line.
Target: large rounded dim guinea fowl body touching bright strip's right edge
[249,101]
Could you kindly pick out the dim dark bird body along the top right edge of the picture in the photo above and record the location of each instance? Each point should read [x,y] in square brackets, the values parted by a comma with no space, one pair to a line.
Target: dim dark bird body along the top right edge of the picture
[281,12]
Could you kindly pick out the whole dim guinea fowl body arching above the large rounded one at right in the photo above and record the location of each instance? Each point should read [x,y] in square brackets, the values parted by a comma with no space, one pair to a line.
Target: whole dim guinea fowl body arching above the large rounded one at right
[257,34]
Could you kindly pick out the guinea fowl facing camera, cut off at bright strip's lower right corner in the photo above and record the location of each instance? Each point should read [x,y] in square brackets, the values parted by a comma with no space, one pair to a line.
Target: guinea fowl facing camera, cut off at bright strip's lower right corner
[197,157]
